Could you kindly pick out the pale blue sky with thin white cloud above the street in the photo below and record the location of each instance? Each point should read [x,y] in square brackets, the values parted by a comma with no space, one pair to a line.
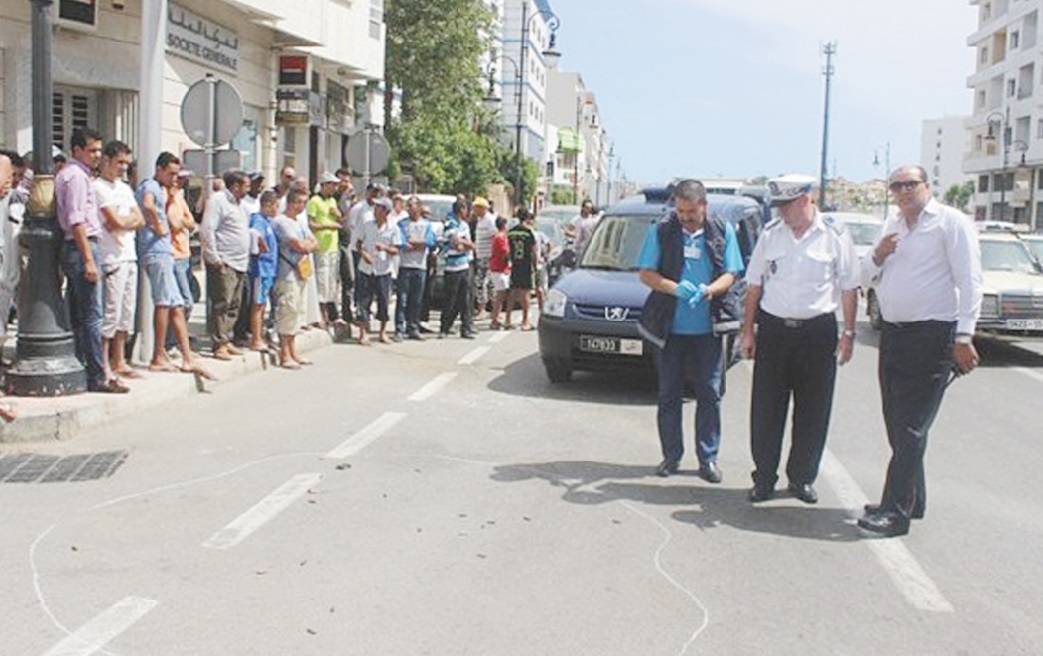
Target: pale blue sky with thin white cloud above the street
[736,87]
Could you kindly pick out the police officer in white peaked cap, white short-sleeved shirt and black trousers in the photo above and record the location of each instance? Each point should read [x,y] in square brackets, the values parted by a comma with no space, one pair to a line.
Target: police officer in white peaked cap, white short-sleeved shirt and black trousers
[803,269]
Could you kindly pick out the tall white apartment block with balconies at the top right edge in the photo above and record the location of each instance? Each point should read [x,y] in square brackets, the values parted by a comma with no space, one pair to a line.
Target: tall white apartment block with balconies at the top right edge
[1006,130]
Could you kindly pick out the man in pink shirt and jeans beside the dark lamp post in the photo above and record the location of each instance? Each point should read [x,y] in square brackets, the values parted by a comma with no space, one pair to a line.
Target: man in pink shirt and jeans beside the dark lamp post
[78,214]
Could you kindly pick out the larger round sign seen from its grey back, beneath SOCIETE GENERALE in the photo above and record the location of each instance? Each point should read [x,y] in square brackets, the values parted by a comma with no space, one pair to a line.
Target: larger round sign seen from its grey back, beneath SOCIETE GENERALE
[212,112]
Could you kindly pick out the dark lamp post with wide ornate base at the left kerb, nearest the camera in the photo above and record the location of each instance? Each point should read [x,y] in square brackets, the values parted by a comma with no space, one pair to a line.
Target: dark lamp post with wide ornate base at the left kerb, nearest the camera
[45,361]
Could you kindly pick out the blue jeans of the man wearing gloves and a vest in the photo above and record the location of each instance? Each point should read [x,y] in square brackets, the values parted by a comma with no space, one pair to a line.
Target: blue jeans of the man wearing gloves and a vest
[699,358]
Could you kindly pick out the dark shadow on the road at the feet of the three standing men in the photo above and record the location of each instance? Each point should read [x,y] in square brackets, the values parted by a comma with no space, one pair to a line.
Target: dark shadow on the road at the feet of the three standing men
[712,506]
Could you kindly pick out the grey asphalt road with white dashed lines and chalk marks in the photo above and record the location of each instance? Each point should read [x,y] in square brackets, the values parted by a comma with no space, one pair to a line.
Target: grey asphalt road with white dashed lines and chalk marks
[446,499]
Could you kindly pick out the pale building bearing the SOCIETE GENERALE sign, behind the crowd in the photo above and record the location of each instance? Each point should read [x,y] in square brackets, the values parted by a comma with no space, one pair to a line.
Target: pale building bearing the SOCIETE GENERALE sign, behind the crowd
[302,69]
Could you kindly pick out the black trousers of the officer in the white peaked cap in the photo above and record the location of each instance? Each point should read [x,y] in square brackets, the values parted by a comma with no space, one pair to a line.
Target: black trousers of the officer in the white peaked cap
[798,360]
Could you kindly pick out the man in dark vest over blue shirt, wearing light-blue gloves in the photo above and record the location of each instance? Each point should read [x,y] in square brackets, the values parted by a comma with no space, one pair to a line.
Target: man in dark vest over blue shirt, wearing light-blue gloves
[690,261]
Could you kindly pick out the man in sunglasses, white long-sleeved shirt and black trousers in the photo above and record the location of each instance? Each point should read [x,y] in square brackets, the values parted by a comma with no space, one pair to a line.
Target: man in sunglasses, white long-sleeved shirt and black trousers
[928,266]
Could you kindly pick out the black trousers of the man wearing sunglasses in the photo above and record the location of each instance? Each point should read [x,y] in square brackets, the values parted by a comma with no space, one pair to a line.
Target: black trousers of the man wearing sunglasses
[915,369]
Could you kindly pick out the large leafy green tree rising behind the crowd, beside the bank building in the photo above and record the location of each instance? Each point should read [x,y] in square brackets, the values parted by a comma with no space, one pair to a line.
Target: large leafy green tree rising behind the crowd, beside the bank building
[444,136]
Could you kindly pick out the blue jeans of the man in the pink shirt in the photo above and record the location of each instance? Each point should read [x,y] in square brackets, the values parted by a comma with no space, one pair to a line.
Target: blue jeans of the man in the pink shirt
[87,310]
